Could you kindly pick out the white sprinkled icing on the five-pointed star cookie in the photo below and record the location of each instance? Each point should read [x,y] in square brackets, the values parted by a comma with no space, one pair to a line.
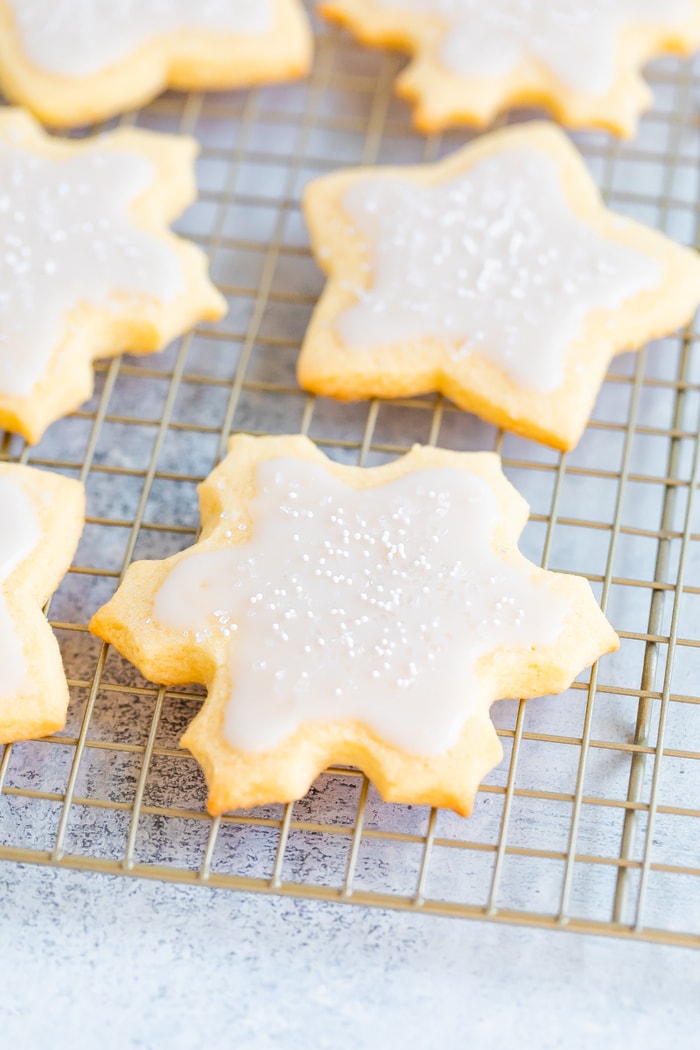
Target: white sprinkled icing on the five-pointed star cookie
[494,262]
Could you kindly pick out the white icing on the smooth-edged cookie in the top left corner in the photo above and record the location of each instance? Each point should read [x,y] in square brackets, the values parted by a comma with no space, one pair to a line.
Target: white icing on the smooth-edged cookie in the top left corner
[78,38]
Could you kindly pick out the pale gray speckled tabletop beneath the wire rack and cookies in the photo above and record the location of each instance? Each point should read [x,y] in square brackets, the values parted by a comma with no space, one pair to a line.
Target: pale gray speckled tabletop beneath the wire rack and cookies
[91,960]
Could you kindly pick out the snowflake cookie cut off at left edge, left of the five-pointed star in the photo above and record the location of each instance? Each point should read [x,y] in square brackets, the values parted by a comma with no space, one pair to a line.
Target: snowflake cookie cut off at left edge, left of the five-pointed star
[89,267]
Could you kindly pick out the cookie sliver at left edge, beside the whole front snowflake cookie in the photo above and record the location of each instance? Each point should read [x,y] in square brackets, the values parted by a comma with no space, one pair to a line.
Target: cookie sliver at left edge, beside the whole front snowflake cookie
[41,520]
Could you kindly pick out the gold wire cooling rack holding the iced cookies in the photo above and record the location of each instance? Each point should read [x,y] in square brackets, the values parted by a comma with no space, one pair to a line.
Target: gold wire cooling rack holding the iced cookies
[592,822]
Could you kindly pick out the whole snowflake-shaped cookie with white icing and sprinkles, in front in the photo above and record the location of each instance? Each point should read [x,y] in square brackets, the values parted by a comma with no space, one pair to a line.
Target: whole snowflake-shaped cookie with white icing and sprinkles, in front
[363,617]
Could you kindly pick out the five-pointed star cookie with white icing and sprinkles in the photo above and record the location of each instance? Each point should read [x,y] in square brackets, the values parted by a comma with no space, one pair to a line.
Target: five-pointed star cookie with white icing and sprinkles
[496,277]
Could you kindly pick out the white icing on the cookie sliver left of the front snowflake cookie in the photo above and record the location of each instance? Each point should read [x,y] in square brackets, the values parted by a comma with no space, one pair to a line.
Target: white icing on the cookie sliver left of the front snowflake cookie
[19,535]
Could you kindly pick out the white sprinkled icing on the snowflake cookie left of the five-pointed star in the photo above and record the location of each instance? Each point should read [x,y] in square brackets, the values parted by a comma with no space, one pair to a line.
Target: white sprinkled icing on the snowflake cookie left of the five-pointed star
[67,240]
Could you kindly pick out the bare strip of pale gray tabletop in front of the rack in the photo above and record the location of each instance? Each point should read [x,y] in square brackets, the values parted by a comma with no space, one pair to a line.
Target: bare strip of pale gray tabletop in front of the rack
[90,961]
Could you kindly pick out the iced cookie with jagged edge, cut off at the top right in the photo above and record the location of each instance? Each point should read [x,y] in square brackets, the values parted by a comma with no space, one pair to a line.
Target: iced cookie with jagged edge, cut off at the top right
[473,60]
